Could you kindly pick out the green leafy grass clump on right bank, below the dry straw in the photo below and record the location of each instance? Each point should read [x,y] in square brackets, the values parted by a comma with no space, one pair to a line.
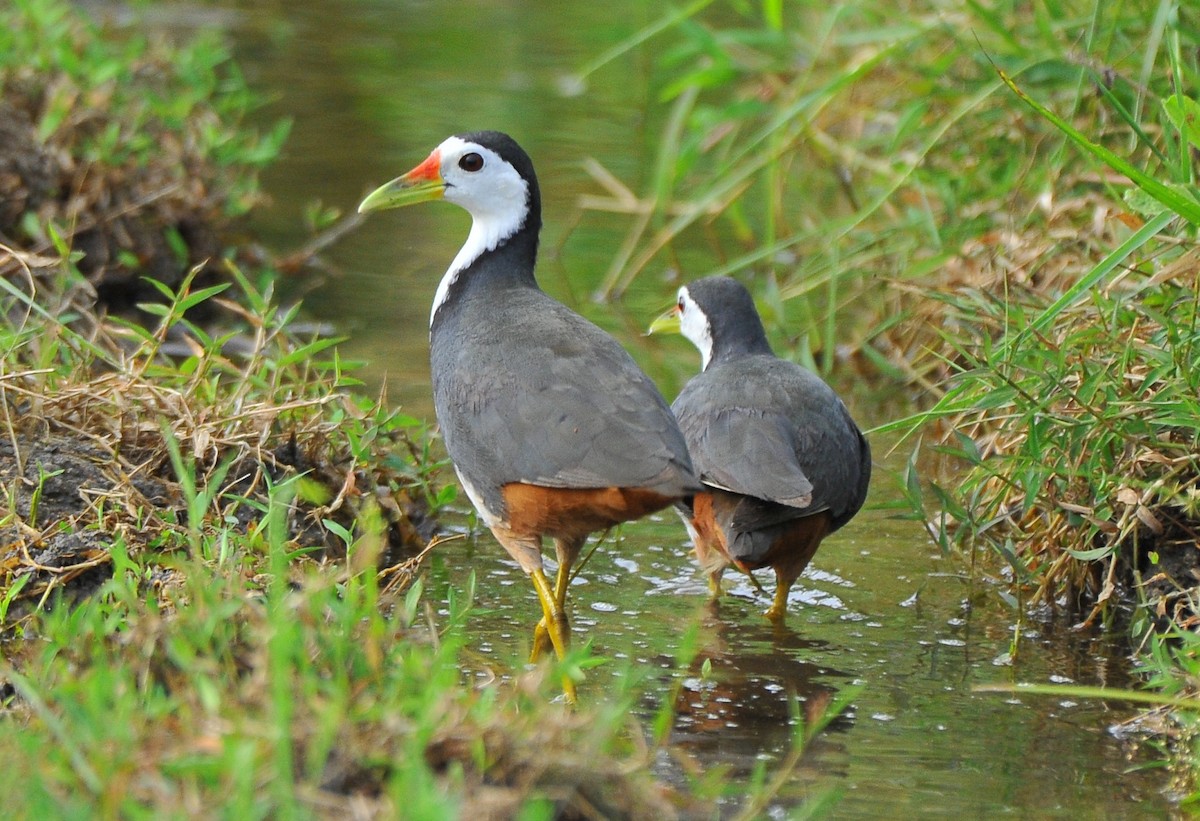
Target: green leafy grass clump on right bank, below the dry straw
[1082,446]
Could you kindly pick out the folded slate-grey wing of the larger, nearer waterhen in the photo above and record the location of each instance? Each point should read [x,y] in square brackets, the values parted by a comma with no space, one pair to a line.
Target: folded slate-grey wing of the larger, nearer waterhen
[568,410]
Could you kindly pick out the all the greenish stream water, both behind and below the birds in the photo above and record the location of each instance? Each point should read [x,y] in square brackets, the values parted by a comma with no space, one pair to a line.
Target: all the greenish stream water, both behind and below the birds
[373,91]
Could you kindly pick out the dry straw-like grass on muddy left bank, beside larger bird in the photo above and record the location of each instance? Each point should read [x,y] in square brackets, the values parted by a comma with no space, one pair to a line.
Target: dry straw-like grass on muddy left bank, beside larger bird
[91,410]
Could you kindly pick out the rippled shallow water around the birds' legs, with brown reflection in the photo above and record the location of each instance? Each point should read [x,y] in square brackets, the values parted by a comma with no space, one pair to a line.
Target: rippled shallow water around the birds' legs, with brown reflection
[878,608]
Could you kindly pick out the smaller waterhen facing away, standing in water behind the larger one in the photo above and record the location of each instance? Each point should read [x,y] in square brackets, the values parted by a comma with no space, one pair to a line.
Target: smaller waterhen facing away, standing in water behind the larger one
[782,462]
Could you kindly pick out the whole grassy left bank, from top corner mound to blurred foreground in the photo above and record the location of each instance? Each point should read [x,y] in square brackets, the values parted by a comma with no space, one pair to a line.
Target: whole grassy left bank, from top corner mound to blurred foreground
[229,621]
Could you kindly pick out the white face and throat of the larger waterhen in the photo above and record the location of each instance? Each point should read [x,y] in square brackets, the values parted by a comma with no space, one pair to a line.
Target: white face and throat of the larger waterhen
[496,197]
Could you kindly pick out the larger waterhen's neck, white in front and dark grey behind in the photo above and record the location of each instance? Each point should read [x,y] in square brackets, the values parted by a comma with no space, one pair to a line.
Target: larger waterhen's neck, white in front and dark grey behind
[490,260]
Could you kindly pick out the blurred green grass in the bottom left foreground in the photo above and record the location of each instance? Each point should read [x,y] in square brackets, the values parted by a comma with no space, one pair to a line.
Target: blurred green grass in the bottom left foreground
[293,692]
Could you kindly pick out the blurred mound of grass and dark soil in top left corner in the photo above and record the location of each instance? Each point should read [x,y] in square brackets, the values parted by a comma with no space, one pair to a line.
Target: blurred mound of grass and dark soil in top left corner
[134,149]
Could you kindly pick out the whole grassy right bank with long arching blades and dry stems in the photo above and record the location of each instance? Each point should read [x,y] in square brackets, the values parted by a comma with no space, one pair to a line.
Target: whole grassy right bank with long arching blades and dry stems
[1005,195]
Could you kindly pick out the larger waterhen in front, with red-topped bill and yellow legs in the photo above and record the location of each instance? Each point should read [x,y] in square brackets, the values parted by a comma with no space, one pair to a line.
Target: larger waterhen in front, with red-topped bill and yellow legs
[553,429]
